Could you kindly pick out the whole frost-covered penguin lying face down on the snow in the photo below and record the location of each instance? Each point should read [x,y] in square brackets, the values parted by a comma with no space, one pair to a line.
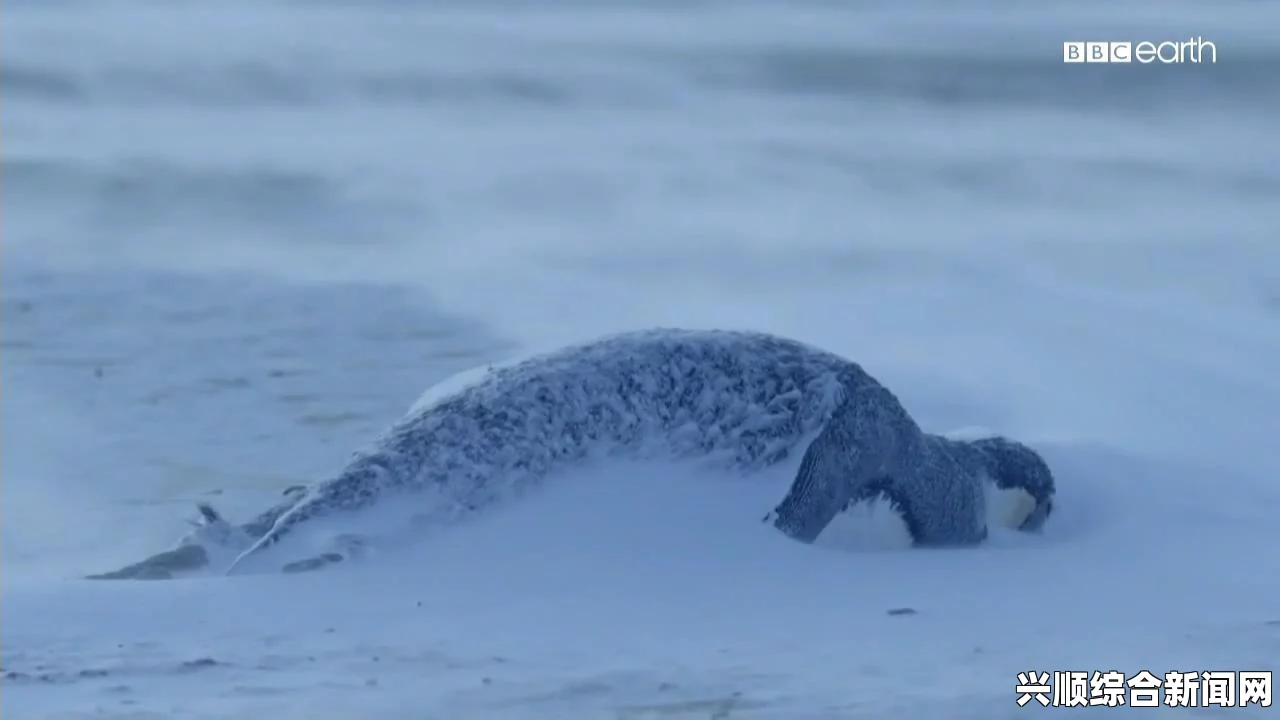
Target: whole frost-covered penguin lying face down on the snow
[743,400]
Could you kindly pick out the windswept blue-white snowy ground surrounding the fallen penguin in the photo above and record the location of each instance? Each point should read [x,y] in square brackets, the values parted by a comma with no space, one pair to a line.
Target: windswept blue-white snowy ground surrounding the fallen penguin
[241,238]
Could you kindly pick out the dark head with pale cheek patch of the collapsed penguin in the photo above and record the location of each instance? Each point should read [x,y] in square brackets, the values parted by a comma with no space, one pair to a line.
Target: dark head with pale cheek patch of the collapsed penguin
[1022,491]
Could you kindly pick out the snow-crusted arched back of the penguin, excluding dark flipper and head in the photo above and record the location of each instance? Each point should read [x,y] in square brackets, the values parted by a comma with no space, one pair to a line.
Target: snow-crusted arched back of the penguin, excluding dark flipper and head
[484,436]
